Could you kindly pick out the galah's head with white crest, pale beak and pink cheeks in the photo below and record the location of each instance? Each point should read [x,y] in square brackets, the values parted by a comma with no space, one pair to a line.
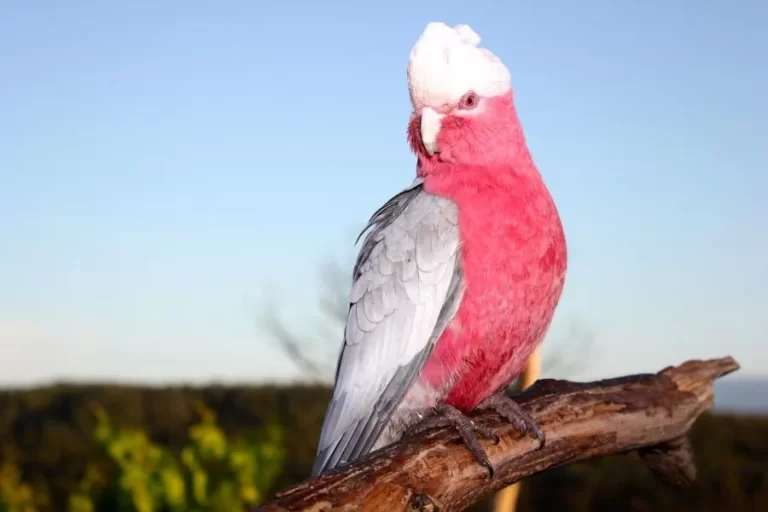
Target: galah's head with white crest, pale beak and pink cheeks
[461,94]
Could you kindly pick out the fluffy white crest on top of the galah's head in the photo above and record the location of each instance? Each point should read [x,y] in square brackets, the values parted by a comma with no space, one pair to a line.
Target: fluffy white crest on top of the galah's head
[446,63]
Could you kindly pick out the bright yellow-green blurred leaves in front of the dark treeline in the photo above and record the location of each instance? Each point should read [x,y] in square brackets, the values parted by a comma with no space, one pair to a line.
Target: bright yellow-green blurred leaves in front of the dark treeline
[212,473]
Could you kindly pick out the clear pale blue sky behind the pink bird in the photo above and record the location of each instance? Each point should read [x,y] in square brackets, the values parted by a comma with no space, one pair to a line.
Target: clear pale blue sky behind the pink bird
[167,168]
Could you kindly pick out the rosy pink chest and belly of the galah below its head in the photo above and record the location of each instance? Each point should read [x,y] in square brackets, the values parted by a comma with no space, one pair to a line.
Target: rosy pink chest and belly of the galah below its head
[513,256]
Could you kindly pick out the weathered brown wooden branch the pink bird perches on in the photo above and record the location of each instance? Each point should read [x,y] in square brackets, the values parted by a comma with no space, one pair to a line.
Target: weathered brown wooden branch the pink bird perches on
[651,413]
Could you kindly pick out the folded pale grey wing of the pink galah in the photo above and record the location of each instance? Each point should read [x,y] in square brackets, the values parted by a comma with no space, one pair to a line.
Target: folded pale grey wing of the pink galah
[407,285]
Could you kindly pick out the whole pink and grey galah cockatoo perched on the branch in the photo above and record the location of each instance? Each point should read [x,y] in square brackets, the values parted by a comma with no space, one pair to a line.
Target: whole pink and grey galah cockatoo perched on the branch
[458,278]
